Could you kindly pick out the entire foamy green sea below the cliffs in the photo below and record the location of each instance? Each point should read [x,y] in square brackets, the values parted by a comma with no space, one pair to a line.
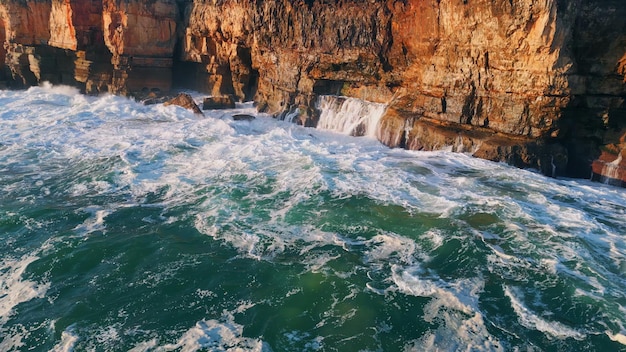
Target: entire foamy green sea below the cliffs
[126,227]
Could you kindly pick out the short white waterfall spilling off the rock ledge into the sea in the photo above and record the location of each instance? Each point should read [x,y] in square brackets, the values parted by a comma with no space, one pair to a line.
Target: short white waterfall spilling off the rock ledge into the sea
[349,116]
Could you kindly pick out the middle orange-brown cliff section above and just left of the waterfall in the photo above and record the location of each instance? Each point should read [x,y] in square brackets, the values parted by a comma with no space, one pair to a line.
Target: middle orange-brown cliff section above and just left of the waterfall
[284,52]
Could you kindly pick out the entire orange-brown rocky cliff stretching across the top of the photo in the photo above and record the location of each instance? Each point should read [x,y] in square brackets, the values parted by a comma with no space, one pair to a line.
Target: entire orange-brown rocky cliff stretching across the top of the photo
[533,83]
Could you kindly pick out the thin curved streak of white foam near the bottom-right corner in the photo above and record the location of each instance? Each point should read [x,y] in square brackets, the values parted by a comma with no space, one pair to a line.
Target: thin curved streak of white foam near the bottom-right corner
[532,321]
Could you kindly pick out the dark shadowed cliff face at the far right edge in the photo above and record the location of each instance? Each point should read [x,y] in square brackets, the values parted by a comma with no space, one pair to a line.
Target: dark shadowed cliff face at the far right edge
[595,117]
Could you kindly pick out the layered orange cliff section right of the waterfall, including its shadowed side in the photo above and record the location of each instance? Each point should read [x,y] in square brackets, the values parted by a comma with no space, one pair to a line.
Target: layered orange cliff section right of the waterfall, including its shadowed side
[533,83]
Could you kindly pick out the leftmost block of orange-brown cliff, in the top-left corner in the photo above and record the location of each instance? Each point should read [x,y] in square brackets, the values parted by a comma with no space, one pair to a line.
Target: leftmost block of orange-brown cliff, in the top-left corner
[58,41]
